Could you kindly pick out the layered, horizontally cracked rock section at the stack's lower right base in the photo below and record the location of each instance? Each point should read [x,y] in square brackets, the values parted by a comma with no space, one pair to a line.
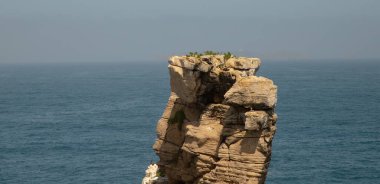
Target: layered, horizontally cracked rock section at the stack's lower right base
[239,163]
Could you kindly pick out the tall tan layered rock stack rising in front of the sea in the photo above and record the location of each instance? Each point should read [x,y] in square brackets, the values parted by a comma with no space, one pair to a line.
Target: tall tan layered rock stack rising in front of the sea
[219,122]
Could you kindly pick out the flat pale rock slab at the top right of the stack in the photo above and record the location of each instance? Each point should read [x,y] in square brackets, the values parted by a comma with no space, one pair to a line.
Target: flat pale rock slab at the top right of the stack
[243,63]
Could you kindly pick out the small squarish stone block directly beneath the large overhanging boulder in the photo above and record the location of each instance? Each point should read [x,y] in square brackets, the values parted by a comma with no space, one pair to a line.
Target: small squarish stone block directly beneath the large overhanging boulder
[256,120]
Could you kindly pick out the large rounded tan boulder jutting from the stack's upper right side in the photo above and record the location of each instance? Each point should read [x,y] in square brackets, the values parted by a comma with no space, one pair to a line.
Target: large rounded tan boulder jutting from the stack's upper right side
[254,92]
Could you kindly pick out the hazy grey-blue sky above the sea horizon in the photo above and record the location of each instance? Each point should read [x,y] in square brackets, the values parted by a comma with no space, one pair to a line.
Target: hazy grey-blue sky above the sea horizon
[124,30]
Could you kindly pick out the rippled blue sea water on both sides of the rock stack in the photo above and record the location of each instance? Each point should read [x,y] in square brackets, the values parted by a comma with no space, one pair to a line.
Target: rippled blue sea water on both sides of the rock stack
[95,123]
